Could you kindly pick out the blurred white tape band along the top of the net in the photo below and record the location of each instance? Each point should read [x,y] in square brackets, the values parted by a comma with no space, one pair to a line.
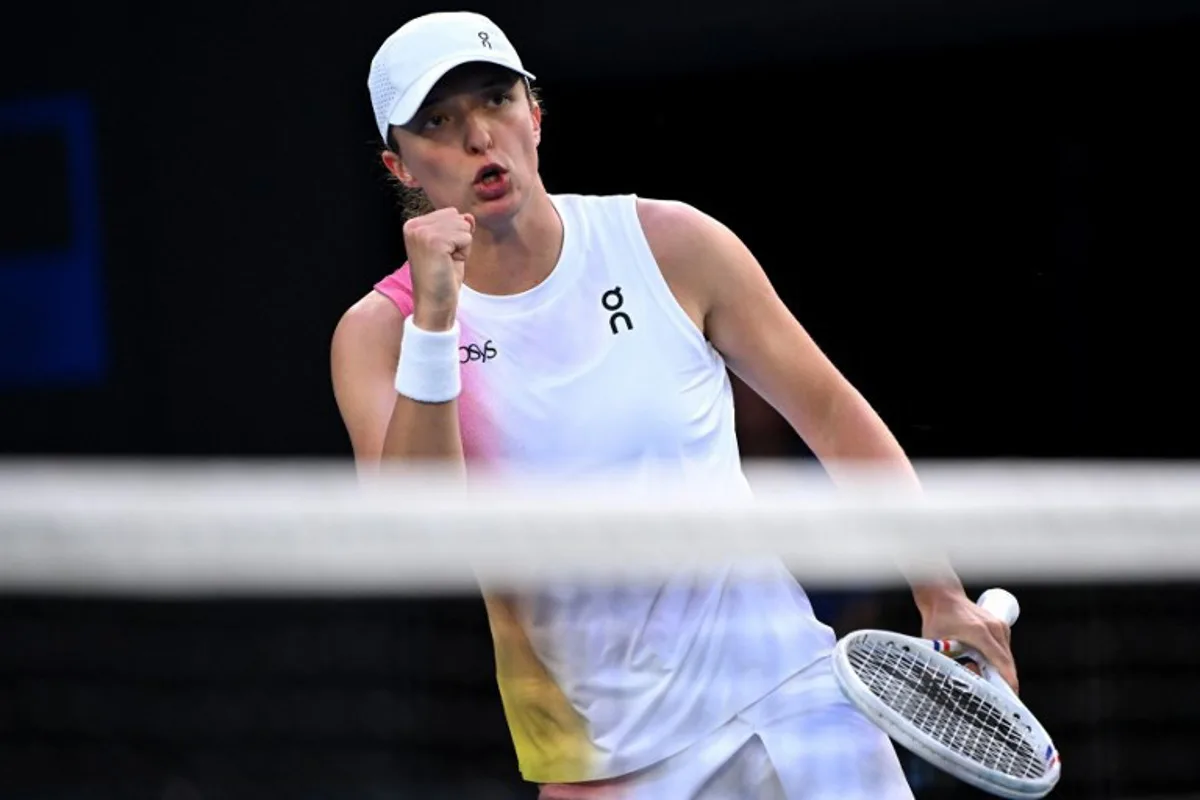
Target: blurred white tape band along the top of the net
[315,528]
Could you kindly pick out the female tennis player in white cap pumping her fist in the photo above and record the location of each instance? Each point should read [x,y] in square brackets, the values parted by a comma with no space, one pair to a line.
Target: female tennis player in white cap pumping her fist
[589,335]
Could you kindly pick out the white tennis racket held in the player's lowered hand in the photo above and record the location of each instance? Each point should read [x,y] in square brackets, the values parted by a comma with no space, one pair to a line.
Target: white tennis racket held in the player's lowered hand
[970,726]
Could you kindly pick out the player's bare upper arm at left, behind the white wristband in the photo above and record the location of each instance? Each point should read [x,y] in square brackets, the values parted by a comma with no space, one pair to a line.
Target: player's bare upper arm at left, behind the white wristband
[364,353]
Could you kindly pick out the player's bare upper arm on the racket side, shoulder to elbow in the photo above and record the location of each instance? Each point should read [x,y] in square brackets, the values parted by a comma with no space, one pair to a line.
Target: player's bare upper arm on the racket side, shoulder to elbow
[712,270]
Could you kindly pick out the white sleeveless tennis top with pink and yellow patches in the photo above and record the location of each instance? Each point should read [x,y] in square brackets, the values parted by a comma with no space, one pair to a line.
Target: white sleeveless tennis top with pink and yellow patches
[599,370]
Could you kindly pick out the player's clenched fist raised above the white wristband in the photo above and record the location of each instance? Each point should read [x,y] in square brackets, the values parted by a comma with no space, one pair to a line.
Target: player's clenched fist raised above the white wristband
[437,245]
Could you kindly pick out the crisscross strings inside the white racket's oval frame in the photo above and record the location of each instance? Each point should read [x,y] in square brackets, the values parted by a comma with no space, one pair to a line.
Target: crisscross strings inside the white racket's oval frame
[944,707]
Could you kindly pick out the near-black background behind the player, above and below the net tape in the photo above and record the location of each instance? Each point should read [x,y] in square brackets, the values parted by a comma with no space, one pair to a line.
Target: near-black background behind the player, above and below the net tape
[983,213]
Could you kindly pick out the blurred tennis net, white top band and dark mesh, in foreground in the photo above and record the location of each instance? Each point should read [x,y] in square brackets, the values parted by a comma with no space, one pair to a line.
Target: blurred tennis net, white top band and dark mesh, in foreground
[200,633]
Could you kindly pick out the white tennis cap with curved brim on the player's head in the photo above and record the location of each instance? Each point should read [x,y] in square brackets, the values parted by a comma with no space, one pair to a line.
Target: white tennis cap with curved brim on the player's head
[416,57]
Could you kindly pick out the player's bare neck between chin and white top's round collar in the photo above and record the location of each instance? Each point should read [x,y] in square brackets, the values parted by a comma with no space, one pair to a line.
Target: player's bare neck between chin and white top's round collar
[519,256]
